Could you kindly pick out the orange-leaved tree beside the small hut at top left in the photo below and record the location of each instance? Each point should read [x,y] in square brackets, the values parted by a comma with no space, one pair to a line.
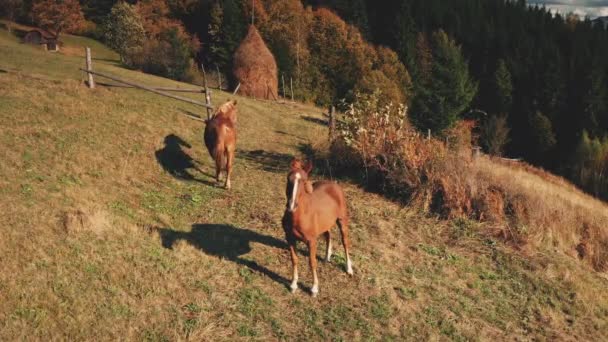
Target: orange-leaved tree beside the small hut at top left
[58,15]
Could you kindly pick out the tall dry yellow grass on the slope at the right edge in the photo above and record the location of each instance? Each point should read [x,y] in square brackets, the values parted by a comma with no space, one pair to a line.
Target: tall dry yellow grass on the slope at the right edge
[547,211]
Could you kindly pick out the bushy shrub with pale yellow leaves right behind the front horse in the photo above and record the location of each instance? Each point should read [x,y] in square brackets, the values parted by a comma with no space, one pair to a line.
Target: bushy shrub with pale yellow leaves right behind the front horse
[383,148]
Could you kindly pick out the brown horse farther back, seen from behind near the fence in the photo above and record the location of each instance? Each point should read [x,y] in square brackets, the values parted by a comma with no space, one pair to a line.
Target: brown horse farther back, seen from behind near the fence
[220,139]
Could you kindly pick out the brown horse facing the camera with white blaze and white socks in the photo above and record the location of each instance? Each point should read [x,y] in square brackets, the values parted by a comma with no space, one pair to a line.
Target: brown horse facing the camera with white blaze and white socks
[313,209]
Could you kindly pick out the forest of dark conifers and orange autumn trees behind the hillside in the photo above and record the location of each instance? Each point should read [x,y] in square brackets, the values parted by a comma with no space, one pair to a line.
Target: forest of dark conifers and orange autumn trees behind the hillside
[536,83]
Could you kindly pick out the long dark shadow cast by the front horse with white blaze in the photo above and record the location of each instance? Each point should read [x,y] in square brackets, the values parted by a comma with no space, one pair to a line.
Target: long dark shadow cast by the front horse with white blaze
[225,241]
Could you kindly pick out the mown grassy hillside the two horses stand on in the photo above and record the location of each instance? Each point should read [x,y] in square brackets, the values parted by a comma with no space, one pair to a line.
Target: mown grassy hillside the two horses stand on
[113,229]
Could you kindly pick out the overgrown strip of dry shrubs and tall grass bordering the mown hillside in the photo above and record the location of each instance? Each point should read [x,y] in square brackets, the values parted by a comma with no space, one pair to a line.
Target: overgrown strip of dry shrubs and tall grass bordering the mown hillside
[523,206]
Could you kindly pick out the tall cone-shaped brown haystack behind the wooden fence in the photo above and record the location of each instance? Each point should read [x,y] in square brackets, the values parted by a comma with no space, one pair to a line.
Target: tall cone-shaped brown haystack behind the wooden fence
[255,67]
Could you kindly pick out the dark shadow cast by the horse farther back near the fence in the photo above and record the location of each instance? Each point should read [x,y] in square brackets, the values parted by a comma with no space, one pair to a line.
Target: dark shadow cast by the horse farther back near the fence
[173,159]
